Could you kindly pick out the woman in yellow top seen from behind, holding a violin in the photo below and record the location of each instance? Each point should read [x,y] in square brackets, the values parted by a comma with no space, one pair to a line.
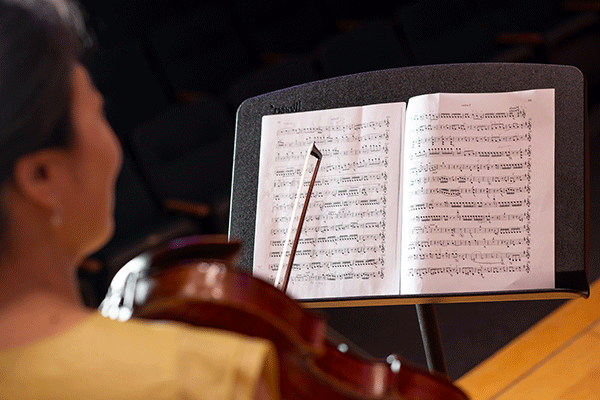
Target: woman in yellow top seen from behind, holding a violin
[59,161]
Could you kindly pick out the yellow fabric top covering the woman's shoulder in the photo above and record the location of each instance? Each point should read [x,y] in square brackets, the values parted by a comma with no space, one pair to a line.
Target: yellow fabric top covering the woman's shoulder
[130,358]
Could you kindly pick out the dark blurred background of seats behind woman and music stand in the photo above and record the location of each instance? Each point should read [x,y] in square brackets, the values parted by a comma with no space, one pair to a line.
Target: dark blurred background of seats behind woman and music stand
[173,73]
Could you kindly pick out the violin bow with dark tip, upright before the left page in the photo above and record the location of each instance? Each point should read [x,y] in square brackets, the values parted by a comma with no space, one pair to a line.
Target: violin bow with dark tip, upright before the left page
[313,151]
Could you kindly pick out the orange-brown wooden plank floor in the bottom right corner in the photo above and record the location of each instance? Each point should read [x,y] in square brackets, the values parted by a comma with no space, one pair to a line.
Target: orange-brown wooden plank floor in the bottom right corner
[558,358]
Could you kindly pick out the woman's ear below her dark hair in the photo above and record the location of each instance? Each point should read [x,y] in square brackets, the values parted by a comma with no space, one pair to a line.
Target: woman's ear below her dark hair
[37,176]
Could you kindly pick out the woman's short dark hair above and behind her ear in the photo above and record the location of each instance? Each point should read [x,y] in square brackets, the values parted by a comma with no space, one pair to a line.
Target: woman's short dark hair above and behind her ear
[37,52]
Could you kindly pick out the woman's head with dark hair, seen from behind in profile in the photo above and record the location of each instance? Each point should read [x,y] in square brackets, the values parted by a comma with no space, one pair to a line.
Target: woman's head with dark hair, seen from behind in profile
[58,156]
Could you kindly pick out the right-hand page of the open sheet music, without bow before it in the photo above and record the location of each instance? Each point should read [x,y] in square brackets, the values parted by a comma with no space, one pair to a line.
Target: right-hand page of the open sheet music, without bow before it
[478,192]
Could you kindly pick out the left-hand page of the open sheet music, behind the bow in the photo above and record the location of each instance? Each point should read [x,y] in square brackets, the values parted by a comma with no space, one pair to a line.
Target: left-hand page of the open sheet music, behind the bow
[347,247]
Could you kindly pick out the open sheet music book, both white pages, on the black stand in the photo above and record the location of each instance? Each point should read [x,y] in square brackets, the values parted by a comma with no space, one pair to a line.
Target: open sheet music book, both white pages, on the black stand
[446,193]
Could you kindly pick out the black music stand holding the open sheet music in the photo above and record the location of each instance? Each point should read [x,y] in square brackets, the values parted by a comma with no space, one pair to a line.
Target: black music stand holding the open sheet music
[393,85]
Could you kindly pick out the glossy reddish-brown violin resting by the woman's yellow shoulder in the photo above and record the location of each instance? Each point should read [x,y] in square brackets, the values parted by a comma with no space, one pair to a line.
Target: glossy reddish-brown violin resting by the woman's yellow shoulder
[191,281]
